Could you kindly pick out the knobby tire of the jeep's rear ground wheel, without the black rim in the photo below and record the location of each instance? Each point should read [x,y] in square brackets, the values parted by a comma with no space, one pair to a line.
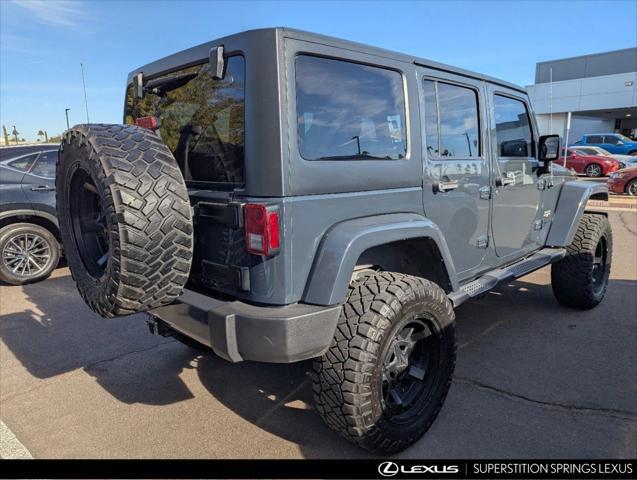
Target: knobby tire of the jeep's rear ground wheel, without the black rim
[346,378]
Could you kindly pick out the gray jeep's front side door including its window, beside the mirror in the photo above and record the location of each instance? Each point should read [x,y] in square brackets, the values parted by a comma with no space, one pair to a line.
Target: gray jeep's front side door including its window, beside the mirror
[517,222]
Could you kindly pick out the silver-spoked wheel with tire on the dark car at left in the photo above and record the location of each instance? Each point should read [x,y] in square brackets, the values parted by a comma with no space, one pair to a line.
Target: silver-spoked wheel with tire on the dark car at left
[29,253]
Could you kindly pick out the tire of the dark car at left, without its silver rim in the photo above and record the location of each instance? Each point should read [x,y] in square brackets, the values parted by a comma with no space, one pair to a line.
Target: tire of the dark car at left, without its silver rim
[17,230]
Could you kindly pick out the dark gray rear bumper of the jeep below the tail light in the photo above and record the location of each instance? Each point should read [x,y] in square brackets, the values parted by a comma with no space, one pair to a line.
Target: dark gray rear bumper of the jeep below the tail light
[239,331]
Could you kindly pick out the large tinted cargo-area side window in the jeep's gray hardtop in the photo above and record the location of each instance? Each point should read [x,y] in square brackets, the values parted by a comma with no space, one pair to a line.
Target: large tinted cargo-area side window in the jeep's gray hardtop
[347,111]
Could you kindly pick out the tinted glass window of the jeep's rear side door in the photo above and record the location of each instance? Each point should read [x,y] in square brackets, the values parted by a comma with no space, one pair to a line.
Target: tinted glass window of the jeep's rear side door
[451,121]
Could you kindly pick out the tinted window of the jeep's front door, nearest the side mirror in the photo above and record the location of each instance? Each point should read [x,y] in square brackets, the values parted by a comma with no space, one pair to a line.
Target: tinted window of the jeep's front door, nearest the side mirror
[513,129]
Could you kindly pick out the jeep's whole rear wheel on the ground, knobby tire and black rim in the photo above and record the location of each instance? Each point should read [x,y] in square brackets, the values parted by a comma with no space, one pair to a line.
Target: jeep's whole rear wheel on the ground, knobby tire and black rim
[386,374]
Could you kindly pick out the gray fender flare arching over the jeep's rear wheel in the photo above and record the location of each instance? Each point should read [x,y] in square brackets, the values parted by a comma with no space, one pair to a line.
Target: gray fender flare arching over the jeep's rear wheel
[344,243]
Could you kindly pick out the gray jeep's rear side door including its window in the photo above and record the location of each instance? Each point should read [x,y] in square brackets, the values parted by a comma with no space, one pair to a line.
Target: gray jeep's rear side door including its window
[456,169]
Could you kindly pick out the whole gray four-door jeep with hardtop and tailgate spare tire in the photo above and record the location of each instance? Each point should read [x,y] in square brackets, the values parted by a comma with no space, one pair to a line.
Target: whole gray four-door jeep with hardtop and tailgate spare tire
[278,196]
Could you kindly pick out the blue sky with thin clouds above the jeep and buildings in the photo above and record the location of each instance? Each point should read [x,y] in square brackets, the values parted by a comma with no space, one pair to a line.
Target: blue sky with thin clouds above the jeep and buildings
[43,42]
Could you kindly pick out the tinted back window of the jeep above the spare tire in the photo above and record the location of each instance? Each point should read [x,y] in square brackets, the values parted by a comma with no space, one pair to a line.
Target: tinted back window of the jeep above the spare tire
[201,119]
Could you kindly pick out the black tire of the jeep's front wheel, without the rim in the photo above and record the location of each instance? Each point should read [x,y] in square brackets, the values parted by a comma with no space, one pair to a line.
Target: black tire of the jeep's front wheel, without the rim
[572,278]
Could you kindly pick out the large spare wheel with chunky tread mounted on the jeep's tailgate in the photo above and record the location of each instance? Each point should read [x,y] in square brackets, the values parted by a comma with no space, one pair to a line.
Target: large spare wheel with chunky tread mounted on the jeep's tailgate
[125,218]
